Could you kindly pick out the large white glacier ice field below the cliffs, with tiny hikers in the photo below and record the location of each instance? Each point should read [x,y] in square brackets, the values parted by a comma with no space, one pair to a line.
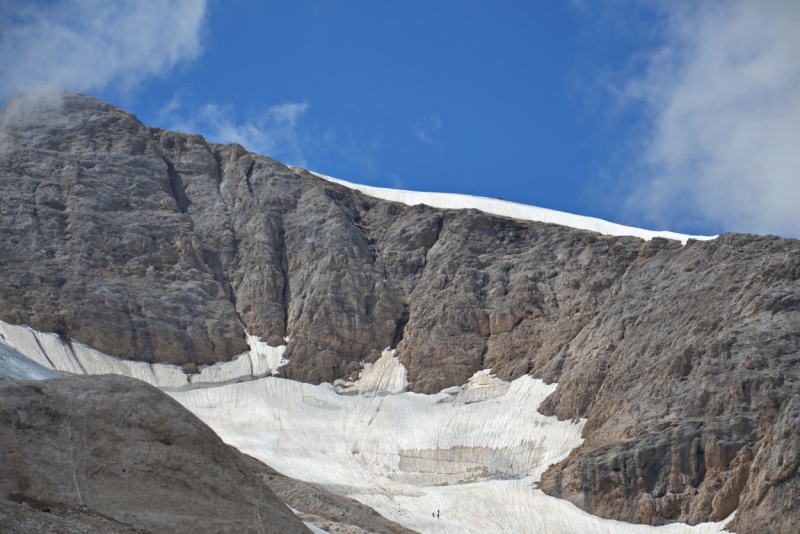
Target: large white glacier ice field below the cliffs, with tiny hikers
[472,452]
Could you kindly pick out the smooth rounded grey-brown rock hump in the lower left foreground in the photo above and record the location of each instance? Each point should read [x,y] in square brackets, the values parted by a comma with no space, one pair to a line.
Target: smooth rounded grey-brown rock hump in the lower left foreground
[116,447]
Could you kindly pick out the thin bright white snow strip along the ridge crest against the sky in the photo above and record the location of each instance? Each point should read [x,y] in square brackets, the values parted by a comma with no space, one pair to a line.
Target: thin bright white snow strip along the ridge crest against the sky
[514,210]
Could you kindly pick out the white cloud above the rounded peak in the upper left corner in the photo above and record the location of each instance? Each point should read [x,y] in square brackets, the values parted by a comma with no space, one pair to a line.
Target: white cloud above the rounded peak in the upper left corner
[90,44]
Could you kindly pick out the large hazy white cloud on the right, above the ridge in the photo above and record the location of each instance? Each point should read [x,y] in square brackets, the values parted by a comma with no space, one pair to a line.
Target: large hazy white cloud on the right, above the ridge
[723,99]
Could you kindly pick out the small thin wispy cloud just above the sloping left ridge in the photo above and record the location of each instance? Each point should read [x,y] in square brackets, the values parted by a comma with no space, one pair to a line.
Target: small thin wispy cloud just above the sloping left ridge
[274,133]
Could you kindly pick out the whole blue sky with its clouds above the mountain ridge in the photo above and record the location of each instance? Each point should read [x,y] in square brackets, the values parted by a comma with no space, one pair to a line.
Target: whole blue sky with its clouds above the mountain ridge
[664,115]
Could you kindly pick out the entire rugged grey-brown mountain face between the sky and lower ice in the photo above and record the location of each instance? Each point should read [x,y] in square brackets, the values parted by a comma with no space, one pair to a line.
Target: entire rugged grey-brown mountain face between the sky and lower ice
[156,245]
